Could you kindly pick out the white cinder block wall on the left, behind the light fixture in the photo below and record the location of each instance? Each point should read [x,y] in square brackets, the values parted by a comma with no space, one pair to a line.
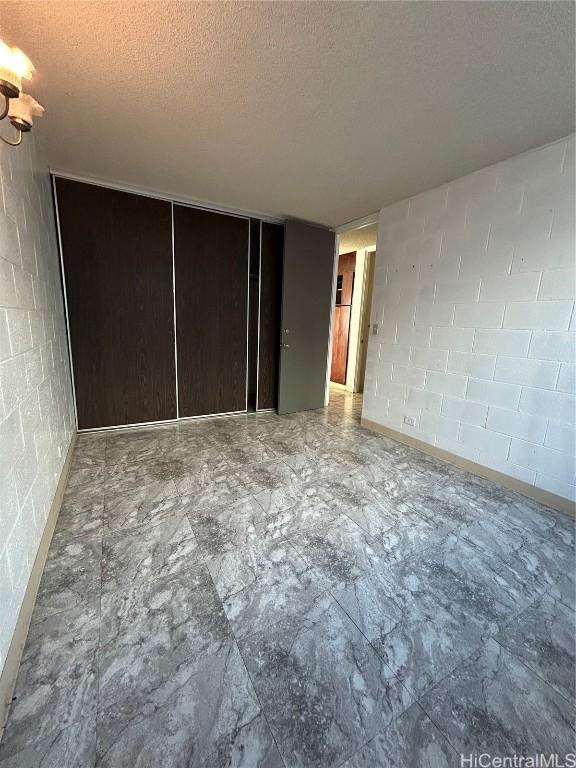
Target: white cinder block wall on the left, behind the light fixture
[36,407]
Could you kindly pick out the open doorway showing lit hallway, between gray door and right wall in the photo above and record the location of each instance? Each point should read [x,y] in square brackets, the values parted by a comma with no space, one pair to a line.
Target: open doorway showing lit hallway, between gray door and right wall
[356,255]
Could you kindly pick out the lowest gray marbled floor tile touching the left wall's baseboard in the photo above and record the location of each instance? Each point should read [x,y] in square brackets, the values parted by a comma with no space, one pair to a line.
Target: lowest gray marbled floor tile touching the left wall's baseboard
[57,680]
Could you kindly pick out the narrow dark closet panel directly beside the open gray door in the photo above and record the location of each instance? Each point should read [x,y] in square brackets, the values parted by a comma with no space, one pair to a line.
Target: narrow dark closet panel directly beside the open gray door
[270,312]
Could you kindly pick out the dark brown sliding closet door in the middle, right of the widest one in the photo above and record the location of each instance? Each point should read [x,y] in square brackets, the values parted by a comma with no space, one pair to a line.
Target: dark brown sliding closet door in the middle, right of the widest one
[211,268]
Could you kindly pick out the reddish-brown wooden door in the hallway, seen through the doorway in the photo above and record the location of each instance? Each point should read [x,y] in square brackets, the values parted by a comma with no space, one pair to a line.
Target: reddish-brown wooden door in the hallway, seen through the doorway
[341,320]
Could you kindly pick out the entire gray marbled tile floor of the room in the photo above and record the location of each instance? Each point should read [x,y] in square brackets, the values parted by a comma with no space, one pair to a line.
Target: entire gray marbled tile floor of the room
[264,591]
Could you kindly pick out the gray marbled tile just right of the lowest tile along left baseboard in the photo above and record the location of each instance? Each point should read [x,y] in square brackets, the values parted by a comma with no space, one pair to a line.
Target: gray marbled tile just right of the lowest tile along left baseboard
[154,636]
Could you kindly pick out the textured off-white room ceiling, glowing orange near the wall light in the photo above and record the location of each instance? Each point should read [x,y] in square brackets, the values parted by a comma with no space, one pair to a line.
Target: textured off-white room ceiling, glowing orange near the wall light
[317,110]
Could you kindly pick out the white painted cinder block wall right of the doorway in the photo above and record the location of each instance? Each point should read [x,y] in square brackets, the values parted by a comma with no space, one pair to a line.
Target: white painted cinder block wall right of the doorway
[474,297]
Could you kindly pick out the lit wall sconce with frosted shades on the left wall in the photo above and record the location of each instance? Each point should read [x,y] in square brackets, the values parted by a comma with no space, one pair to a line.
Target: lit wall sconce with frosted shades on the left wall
[20,107]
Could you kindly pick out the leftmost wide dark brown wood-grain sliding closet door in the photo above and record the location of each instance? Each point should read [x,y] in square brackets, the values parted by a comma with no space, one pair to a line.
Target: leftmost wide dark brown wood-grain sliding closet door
[117,254]
